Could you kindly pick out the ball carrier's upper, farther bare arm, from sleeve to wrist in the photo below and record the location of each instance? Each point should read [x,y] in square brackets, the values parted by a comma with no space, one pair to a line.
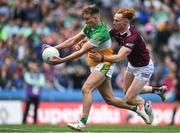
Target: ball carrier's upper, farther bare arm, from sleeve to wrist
[71,41]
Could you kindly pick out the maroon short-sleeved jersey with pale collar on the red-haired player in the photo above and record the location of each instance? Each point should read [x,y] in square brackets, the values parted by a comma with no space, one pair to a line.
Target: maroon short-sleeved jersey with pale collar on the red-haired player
[132,39]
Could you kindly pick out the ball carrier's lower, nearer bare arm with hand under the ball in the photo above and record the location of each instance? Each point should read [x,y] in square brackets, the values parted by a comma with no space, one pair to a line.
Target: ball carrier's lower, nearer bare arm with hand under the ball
[85,48]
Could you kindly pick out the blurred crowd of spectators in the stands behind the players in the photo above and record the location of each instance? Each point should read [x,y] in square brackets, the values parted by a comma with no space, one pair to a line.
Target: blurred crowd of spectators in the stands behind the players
[25,23]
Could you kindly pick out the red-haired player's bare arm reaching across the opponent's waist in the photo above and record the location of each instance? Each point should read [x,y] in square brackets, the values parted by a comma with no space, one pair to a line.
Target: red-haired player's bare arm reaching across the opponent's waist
[122,54]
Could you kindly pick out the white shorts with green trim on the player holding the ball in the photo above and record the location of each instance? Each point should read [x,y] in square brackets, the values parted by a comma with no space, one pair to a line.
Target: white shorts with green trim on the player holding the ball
[104,68]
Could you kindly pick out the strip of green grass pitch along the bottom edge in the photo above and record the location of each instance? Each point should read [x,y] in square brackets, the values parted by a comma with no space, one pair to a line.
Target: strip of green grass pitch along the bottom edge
[91,128]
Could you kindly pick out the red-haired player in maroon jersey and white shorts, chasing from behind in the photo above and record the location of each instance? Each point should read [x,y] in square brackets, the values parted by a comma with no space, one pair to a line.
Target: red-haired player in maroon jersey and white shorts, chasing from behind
[140,66]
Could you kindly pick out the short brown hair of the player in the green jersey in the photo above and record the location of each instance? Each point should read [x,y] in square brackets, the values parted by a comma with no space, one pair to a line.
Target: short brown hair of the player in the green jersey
[91,10]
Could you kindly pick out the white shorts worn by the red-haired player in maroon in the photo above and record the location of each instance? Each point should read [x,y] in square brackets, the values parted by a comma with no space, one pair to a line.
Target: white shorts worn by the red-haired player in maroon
[142,73]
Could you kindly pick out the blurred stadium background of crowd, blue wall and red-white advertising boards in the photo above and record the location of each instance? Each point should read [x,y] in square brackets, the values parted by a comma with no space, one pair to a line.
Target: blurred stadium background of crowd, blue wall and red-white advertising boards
[25,23]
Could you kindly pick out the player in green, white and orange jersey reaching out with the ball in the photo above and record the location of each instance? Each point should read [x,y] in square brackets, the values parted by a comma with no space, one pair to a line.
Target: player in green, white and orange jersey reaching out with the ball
[98,40]
